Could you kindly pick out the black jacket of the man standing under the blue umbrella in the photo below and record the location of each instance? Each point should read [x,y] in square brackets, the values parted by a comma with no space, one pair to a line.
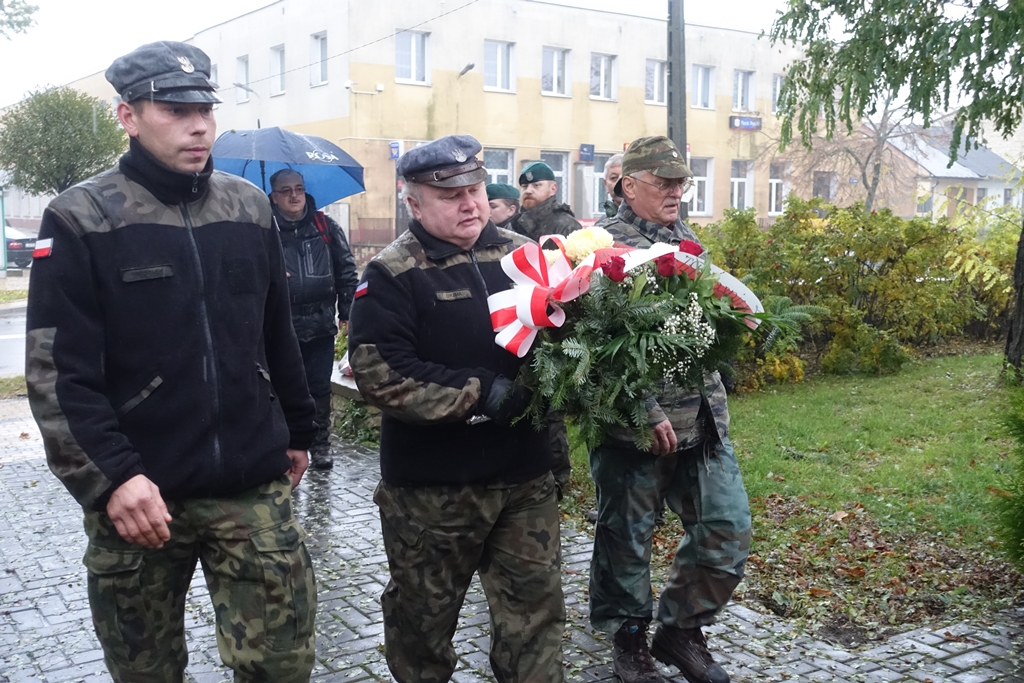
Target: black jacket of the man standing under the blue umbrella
[321,272]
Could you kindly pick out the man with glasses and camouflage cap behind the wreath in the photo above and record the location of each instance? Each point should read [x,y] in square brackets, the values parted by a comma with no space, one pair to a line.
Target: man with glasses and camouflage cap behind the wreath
[692,465]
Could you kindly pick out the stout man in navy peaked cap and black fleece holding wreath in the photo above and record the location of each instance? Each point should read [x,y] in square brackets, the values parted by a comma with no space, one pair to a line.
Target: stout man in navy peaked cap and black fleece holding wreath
[463,491]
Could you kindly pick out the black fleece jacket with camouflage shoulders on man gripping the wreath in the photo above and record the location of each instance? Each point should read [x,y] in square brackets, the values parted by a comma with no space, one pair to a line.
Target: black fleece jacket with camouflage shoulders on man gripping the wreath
[423,351]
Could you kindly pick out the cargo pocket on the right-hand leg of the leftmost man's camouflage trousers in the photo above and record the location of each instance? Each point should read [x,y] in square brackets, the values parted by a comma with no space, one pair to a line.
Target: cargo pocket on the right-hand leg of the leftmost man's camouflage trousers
[289,592]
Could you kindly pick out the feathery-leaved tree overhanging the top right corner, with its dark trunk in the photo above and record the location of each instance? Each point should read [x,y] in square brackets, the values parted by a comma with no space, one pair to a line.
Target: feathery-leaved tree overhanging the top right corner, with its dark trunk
[940,57]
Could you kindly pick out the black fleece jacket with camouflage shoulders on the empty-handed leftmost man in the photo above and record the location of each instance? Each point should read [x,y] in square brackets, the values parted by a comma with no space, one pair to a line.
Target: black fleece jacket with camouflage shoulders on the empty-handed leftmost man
[159,336]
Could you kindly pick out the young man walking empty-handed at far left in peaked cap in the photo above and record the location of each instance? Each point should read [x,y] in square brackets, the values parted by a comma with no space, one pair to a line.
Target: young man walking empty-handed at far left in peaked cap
[167,383]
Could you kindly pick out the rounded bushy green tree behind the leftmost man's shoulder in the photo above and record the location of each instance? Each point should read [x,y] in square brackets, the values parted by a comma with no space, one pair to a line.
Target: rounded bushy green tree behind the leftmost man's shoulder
[57,139]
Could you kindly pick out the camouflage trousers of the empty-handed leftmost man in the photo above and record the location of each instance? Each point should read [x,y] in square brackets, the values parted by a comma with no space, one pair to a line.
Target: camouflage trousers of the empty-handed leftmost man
[261,580]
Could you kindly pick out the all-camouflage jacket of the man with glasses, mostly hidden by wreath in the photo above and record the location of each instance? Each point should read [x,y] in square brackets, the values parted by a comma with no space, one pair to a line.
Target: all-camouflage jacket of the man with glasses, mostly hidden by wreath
[684,410]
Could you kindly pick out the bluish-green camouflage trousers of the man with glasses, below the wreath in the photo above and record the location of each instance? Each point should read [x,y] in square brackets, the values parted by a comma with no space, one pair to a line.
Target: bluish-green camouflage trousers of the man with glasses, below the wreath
[704,487]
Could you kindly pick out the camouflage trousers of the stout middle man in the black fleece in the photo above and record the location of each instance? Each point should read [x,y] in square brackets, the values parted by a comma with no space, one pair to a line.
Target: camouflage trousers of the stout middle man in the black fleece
[436,539]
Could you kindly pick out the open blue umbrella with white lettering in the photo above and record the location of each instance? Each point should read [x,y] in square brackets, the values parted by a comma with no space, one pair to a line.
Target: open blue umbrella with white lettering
[329,172]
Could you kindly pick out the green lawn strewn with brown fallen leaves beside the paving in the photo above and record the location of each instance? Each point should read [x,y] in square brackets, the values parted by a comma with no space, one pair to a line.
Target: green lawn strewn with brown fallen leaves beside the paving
[873,498]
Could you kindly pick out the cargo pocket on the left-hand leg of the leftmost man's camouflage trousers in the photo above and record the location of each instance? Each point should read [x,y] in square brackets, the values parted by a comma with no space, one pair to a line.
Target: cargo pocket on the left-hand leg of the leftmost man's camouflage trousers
[120,609]
